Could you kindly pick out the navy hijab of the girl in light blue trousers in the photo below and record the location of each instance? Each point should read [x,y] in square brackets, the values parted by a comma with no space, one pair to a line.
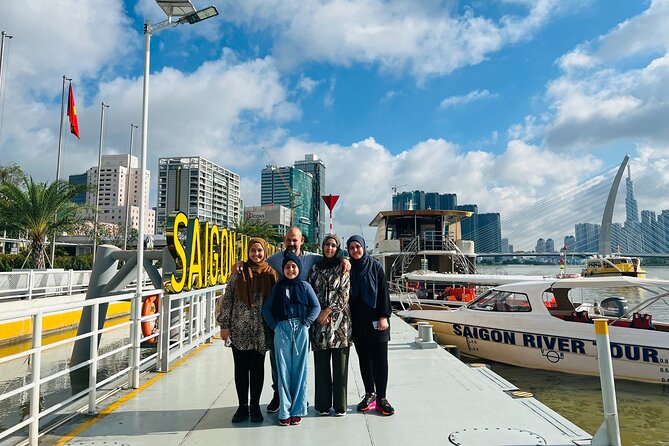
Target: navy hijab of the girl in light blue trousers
[289,287]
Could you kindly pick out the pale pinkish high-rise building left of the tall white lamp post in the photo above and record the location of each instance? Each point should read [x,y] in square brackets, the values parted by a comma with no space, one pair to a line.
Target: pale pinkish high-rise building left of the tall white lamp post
[119,188]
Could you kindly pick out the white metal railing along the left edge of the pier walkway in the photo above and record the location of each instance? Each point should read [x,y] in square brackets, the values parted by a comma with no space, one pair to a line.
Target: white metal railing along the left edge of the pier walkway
[184,321]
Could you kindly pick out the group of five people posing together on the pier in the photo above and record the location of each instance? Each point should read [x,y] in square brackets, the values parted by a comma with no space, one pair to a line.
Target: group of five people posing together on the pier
[294,299]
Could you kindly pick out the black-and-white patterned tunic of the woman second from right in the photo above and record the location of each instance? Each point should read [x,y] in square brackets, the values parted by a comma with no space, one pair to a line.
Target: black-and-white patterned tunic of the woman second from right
[331,287]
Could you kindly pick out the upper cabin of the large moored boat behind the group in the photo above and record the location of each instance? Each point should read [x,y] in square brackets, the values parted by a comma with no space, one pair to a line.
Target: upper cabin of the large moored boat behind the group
[422,239]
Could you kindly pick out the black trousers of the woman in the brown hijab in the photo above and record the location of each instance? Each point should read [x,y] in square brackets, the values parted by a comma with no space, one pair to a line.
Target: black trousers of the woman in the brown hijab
[249,373]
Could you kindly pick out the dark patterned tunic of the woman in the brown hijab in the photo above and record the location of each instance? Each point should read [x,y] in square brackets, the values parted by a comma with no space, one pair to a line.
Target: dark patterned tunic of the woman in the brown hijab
[248,330]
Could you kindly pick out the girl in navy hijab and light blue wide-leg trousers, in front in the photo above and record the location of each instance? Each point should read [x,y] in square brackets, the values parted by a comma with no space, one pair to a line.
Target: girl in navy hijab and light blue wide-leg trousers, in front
[290,311]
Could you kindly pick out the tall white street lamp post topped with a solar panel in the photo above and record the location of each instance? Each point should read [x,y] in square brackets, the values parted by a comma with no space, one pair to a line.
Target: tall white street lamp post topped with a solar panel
[184,12]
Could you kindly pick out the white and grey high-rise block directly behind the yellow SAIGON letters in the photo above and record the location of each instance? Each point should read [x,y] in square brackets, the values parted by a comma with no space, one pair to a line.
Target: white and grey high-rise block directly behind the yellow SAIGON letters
[199,188]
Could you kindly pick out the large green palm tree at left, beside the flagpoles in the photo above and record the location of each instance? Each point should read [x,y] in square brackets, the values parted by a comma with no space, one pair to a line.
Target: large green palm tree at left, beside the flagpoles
[40,209]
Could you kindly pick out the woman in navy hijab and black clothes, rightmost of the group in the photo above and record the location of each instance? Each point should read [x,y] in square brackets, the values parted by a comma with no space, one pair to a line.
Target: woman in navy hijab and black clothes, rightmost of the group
[369,302]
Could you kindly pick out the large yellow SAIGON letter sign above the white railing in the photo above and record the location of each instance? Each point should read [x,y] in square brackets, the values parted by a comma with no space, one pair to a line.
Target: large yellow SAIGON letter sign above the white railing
[206,256]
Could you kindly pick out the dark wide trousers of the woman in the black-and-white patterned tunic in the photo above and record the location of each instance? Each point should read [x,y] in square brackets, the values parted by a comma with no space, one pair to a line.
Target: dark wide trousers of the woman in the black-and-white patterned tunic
[331,378]
